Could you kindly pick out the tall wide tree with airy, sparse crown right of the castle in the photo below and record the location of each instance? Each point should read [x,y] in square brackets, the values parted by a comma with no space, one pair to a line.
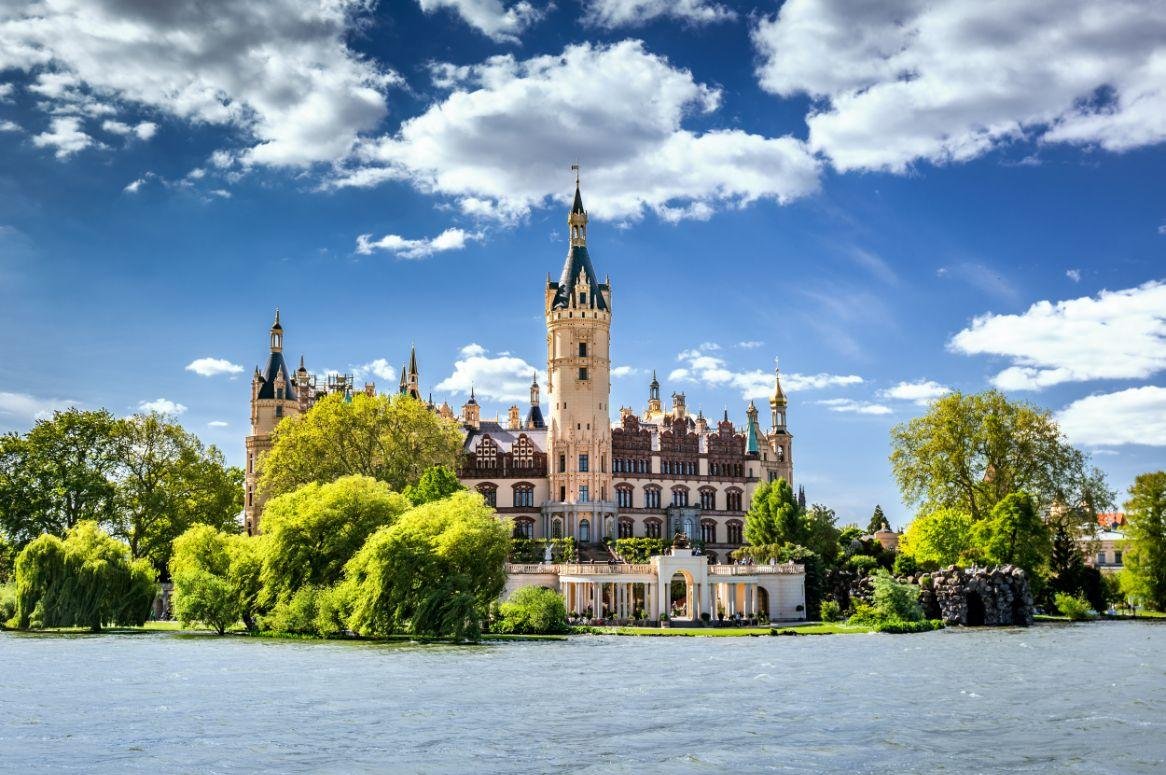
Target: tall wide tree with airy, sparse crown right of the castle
[971,452]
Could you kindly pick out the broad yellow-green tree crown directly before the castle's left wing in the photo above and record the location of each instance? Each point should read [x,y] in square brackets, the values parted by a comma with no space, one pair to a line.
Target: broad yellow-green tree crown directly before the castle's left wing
[391,439]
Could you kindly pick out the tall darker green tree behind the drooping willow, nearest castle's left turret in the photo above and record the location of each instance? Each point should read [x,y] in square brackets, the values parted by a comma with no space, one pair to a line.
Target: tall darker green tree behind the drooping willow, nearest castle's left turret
[167,482]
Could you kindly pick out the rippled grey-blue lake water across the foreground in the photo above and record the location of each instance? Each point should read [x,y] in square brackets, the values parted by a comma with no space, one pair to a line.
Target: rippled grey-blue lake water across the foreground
[1088,699]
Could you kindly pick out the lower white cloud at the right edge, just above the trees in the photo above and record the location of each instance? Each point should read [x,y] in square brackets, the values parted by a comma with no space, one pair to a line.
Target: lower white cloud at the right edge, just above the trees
[1133,417]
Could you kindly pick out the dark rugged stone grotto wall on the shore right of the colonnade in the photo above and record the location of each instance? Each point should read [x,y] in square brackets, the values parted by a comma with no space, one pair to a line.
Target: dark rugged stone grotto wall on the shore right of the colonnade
[973,597]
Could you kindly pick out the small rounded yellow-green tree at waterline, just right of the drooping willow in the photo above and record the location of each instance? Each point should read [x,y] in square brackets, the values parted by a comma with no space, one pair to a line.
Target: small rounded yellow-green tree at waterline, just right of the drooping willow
[215,577]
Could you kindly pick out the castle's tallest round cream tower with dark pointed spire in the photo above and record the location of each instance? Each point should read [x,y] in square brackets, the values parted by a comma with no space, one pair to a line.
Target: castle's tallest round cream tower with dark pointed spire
[579,379]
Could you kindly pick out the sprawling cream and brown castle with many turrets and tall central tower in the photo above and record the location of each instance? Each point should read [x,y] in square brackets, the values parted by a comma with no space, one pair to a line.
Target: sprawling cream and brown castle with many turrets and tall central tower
[577,473]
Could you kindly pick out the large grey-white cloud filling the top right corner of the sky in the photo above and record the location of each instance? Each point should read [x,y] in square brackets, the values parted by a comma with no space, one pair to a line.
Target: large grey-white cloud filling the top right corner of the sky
[947,81]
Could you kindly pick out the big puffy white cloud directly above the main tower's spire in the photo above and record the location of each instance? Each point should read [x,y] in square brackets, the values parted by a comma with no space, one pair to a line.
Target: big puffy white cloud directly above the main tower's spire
[496,144]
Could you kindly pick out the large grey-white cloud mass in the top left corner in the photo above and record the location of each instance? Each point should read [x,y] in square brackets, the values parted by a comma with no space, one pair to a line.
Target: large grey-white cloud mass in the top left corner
[279,72]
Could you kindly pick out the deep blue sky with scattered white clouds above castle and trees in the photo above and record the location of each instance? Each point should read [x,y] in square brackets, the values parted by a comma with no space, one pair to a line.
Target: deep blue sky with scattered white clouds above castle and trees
[893,200]
